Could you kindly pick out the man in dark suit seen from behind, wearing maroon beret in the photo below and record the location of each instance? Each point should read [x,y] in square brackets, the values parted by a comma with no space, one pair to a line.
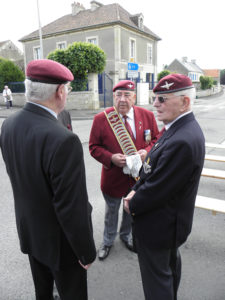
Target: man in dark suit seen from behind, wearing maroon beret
[45,164]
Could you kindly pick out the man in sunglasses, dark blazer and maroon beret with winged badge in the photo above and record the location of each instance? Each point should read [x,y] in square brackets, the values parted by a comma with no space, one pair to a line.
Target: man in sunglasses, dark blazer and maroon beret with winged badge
[162,202]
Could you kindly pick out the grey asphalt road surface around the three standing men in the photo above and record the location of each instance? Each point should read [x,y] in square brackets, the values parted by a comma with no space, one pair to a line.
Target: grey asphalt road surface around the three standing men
[118,277]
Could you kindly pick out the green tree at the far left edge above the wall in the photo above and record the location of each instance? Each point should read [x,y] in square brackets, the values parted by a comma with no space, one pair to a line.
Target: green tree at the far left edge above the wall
[9,72]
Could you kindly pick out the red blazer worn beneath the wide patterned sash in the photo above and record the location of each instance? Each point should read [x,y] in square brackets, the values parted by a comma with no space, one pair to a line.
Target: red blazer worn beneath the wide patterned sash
[103,144]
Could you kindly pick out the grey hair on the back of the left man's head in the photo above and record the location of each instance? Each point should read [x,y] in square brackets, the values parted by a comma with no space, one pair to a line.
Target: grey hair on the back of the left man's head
[38,91]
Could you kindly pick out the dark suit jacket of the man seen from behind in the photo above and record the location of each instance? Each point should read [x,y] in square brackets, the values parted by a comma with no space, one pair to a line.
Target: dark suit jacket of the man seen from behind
[45,164]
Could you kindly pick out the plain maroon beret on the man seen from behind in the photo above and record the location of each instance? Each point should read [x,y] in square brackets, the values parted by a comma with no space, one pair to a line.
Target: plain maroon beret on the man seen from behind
[48,71]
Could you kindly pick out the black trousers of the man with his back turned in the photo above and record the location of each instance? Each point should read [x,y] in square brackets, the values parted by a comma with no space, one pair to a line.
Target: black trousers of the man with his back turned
[71,282]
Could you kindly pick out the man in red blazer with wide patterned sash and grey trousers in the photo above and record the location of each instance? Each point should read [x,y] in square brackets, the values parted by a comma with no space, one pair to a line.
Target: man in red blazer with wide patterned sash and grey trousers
[120,133]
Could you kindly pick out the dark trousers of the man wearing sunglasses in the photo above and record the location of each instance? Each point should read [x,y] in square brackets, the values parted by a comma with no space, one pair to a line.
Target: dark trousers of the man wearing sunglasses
[160,272]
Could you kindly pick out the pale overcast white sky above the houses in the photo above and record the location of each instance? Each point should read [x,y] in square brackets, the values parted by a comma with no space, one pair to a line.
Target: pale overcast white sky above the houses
[193,28]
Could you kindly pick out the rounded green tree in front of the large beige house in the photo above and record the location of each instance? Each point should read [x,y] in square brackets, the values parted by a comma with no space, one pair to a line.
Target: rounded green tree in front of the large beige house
[81,58]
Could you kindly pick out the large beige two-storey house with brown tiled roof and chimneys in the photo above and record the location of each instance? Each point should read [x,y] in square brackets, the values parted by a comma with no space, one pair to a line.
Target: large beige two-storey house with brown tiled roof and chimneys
[123,37]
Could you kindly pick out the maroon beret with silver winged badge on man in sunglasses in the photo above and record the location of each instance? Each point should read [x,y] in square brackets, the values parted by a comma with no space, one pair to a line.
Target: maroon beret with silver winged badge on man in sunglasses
[173,83]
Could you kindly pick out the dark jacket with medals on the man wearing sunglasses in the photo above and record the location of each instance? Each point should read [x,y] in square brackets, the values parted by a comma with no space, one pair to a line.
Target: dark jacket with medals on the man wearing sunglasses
[163,204]
